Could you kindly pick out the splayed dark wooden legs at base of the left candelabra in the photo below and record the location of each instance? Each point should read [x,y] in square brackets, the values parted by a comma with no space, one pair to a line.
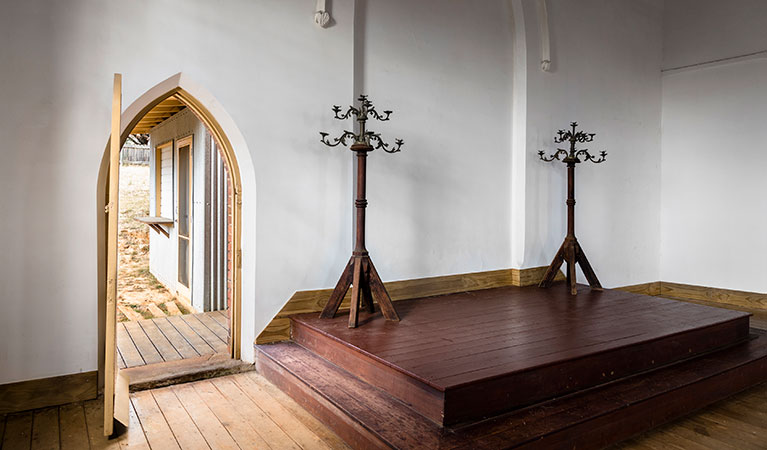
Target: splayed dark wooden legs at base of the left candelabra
[360,274]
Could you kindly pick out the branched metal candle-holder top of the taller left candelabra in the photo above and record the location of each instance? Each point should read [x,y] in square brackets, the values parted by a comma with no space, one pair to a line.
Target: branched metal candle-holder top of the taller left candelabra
[363,138]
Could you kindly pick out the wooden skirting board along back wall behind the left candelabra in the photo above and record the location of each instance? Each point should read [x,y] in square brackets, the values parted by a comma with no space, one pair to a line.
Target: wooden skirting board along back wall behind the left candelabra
[301,302]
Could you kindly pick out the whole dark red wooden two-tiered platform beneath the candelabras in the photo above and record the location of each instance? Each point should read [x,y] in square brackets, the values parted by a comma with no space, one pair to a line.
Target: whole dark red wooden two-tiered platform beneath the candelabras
[509,367]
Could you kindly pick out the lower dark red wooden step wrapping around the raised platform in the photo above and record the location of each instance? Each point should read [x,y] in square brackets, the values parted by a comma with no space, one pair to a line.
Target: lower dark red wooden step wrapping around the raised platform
[367,417]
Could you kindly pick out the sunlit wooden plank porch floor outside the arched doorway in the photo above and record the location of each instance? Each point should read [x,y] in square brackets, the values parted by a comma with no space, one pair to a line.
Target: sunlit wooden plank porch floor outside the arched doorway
[171,338]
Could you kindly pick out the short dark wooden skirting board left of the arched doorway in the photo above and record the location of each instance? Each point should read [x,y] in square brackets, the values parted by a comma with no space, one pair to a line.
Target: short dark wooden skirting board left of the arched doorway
[43,392]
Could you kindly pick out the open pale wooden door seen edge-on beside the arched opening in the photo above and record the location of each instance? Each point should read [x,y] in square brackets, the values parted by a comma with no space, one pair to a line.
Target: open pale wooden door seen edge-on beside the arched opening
[115,384]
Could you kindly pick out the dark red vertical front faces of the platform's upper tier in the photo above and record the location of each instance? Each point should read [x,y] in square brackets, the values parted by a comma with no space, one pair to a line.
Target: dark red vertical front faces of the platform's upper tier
[492,396]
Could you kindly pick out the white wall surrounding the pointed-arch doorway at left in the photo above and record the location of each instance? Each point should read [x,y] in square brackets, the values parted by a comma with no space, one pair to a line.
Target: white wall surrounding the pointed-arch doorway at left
[274,71]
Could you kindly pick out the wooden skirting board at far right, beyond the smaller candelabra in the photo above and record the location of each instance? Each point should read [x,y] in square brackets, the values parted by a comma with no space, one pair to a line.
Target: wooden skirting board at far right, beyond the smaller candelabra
[681,291]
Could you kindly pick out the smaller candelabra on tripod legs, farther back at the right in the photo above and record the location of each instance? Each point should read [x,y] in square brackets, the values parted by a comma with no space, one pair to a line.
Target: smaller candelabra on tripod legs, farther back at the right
[571,251]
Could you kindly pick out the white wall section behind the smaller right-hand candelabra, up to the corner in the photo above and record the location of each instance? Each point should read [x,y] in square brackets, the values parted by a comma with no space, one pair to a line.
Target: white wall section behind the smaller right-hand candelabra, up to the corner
[606,56]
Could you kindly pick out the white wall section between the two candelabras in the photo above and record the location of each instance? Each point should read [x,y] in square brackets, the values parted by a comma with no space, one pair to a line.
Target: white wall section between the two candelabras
[441,206]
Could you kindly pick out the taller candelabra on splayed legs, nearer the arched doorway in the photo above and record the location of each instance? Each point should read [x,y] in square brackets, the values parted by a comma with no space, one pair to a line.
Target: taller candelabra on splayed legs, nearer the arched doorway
[360,273]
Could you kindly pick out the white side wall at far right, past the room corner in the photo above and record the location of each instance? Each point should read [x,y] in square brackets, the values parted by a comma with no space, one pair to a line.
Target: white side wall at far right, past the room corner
[713,203]
